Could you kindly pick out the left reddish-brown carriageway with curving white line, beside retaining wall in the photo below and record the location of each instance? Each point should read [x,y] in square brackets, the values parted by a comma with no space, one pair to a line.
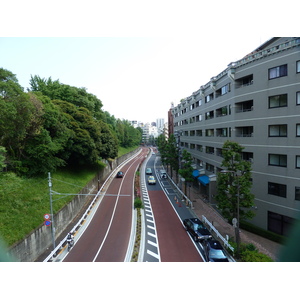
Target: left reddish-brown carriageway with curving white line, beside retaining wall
[107,236]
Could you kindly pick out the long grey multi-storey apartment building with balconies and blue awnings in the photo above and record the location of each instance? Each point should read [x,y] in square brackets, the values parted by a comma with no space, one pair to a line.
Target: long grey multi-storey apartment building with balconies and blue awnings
[256,103]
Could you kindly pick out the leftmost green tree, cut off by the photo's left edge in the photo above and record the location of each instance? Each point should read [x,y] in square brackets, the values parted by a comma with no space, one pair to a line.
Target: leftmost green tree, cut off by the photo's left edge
[20,118]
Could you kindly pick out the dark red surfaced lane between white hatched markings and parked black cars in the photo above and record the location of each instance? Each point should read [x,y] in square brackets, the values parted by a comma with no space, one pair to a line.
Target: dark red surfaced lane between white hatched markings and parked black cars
[175,244]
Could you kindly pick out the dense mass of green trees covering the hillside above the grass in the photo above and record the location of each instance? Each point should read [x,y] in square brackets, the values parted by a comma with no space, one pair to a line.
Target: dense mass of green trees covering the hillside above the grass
[54,125]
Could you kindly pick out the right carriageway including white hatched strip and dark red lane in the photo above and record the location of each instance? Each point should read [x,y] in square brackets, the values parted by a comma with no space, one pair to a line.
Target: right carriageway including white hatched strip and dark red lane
[166,240]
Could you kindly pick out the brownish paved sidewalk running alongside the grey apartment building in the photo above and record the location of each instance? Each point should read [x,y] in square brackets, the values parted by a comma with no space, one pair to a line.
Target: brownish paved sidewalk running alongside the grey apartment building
[264,245]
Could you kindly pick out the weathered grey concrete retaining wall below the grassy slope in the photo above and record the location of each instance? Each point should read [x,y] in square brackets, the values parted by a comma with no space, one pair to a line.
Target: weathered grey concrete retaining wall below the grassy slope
[40,240]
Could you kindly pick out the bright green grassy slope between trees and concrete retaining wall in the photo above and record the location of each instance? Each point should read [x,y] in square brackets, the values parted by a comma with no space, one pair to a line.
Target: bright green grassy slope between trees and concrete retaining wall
[24,201]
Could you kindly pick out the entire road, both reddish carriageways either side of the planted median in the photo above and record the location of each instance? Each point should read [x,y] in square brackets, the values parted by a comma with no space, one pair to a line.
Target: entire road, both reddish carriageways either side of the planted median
[108,234]
